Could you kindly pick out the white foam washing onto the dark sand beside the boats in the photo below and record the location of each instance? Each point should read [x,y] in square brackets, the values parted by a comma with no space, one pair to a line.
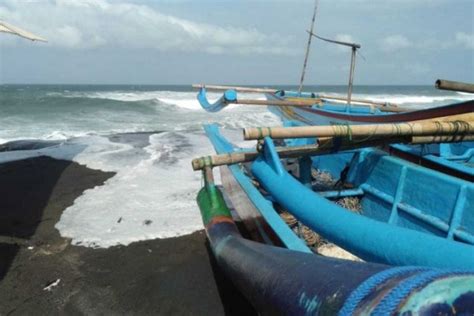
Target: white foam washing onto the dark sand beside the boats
[151,196]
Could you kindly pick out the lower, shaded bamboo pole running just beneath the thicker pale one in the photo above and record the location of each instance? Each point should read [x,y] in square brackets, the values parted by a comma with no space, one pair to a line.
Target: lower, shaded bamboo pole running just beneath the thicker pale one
[324,146]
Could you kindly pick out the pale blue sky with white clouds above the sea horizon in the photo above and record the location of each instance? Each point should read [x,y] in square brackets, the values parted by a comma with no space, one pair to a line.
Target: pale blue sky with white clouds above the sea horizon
[404,42]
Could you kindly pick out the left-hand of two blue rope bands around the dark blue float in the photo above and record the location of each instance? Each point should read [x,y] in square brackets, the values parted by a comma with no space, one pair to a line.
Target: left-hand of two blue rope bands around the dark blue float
[370,284]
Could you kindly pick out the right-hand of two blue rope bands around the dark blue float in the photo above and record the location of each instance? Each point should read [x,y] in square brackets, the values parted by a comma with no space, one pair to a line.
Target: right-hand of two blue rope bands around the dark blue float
[392,299]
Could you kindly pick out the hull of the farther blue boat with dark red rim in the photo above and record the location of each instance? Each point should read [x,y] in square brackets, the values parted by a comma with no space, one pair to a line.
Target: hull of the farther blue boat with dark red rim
[456,159]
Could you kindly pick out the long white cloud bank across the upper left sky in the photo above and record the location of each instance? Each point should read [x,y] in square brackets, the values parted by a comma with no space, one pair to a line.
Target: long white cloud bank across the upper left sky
[87,24]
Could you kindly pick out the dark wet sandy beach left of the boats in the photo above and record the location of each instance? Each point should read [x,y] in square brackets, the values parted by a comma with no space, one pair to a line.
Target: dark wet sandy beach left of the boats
[163,276]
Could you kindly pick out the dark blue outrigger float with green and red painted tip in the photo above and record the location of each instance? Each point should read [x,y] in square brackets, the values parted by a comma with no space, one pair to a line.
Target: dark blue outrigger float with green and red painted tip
[281,281]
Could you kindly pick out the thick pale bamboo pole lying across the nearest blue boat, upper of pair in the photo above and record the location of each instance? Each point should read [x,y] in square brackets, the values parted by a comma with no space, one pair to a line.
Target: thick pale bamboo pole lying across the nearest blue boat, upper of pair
[399,129]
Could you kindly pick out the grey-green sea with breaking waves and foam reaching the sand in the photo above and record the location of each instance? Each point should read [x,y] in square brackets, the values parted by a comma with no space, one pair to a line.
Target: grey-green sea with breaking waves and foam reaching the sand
[147,135]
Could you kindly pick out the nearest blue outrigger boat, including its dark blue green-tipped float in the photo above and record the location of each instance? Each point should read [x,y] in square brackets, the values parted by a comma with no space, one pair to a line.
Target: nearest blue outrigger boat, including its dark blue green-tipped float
[415,241]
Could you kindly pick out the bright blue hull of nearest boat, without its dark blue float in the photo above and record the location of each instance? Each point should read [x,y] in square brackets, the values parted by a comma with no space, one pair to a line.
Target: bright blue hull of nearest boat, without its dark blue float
[404,219]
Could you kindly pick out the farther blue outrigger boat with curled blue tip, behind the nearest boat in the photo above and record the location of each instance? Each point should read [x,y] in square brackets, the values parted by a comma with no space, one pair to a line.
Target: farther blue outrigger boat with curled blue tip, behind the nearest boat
[299,109]
